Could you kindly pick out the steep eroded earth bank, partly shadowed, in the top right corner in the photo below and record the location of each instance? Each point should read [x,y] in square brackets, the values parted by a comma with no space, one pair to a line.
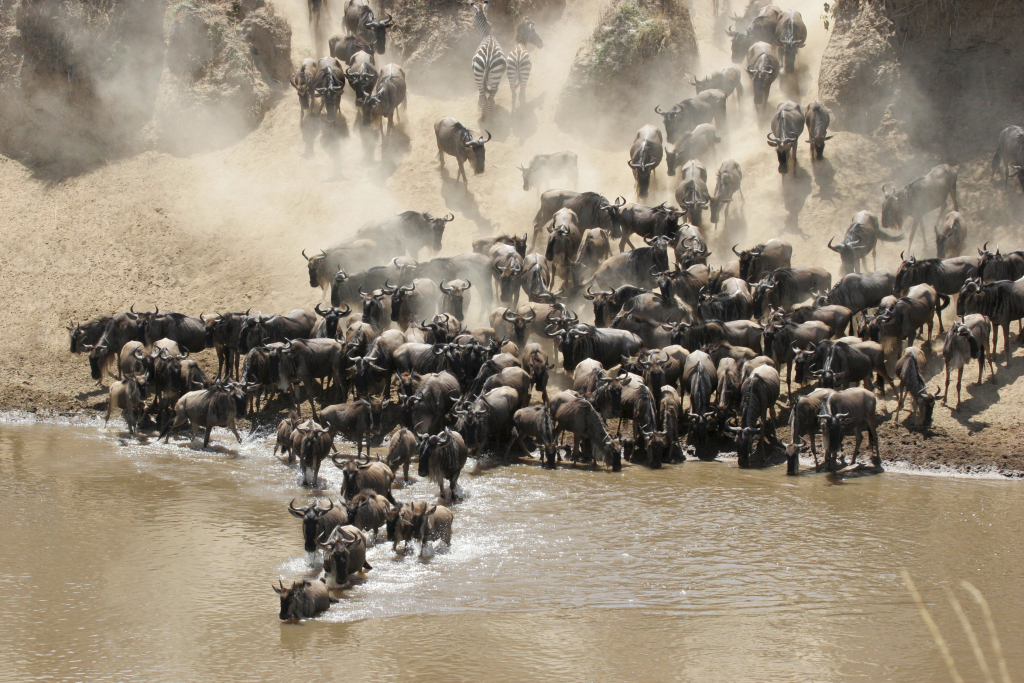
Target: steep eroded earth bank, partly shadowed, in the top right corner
[947,73]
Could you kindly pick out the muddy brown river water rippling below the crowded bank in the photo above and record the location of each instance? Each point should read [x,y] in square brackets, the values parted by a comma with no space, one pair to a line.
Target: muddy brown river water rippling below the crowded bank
[131,563]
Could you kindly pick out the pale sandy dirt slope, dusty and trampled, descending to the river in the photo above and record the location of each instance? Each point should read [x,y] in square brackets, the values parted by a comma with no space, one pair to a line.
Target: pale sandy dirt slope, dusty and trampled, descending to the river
[225,230]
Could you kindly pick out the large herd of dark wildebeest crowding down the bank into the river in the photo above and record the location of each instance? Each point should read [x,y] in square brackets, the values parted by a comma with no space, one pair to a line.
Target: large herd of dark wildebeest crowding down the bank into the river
[687,356]
